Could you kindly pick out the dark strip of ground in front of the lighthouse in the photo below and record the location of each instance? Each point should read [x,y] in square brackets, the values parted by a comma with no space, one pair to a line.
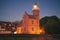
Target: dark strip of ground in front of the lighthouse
[28,37]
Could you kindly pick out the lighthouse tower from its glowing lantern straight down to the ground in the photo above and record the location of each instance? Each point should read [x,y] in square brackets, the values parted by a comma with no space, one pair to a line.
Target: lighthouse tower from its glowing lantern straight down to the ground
[36,11]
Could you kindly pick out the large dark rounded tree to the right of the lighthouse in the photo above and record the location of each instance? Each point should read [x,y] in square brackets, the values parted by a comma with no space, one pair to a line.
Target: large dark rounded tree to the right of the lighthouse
[52,24]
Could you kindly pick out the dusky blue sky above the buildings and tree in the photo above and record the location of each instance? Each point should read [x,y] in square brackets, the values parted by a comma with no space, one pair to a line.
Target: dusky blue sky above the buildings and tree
[12,10]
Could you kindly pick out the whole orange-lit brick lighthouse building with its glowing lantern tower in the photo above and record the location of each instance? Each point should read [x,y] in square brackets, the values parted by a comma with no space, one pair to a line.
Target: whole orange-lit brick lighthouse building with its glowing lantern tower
[30,23]
